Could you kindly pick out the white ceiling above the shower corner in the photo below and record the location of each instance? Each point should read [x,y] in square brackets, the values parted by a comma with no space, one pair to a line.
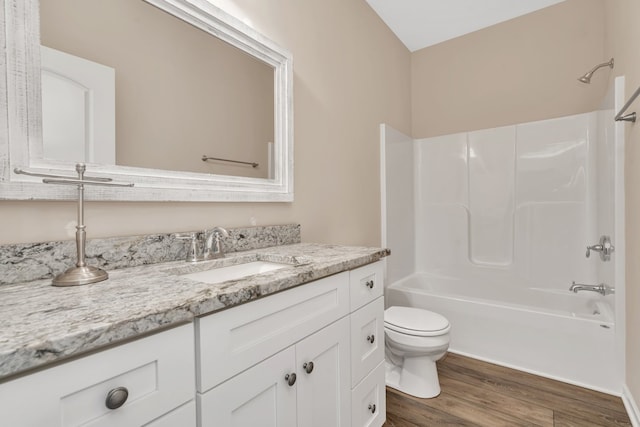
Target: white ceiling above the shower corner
[422,23]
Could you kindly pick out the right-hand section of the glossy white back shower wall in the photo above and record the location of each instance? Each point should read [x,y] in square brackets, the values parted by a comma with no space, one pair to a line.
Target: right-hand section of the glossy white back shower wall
[554,201]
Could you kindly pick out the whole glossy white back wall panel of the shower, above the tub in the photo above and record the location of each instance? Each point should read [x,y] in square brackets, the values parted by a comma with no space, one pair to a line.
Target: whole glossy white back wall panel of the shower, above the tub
[515,203]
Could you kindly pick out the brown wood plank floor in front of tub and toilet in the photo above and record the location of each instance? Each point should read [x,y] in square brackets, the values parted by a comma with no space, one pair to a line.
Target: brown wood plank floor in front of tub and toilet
[476,393]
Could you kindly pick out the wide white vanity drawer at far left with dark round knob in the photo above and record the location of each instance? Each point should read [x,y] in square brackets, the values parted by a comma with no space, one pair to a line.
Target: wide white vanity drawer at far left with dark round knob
[158,372]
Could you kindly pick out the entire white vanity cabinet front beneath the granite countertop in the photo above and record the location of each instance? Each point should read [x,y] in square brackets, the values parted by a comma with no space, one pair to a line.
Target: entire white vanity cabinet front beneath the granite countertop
[308,356]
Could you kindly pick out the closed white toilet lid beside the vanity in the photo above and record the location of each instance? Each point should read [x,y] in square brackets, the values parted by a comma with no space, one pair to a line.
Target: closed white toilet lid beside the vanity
[415,321]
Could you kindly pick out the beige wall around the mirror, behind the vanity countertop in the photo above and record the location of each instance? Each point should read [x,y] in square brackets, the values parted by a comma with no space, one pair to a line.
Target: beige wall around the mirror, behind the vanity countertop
[350,75]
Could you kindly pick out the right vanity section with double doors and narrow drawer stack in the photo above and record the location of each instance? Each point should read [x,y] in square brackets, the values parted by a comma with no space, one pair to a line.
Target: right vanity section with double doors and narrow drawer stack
[310,356]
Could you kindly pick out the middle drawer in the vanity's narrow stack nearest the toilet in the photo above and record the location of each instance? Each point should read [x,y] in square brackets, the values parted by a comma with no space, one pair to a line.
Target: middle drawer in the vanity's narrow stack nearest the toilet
[367,339]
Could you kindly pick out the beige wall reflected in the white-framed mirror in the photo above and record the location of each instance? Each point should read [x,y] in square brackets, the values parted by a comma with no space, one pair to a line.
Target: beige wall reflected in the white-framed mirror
[180,93]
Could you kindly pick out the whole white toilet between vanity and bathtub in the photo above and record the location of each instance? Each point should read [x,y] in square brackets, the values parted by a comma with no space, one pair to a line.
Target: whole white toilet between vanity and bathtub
[414,340]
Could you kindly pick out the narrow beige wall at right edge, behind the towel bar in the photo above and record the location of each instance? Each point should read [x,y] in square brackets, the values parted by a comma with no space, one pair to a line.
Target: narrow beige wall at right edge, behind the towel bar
[623,34]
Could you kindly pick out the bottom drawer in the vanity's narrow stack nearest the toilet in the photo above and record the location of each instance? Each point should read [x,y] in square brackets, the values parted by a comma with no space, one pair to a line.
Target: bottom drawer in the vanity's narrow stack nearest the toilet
[368,400]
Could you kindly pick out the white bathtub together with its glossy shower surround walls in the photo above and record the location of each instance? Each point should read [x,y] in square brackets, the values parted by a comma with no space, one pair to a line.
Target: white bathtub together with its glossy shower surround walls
[503,218]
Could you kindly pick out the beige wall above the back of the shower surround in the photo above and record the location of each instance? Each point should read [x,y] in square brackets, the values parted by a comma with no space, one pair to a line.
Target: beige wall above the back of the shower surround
[521,70]
